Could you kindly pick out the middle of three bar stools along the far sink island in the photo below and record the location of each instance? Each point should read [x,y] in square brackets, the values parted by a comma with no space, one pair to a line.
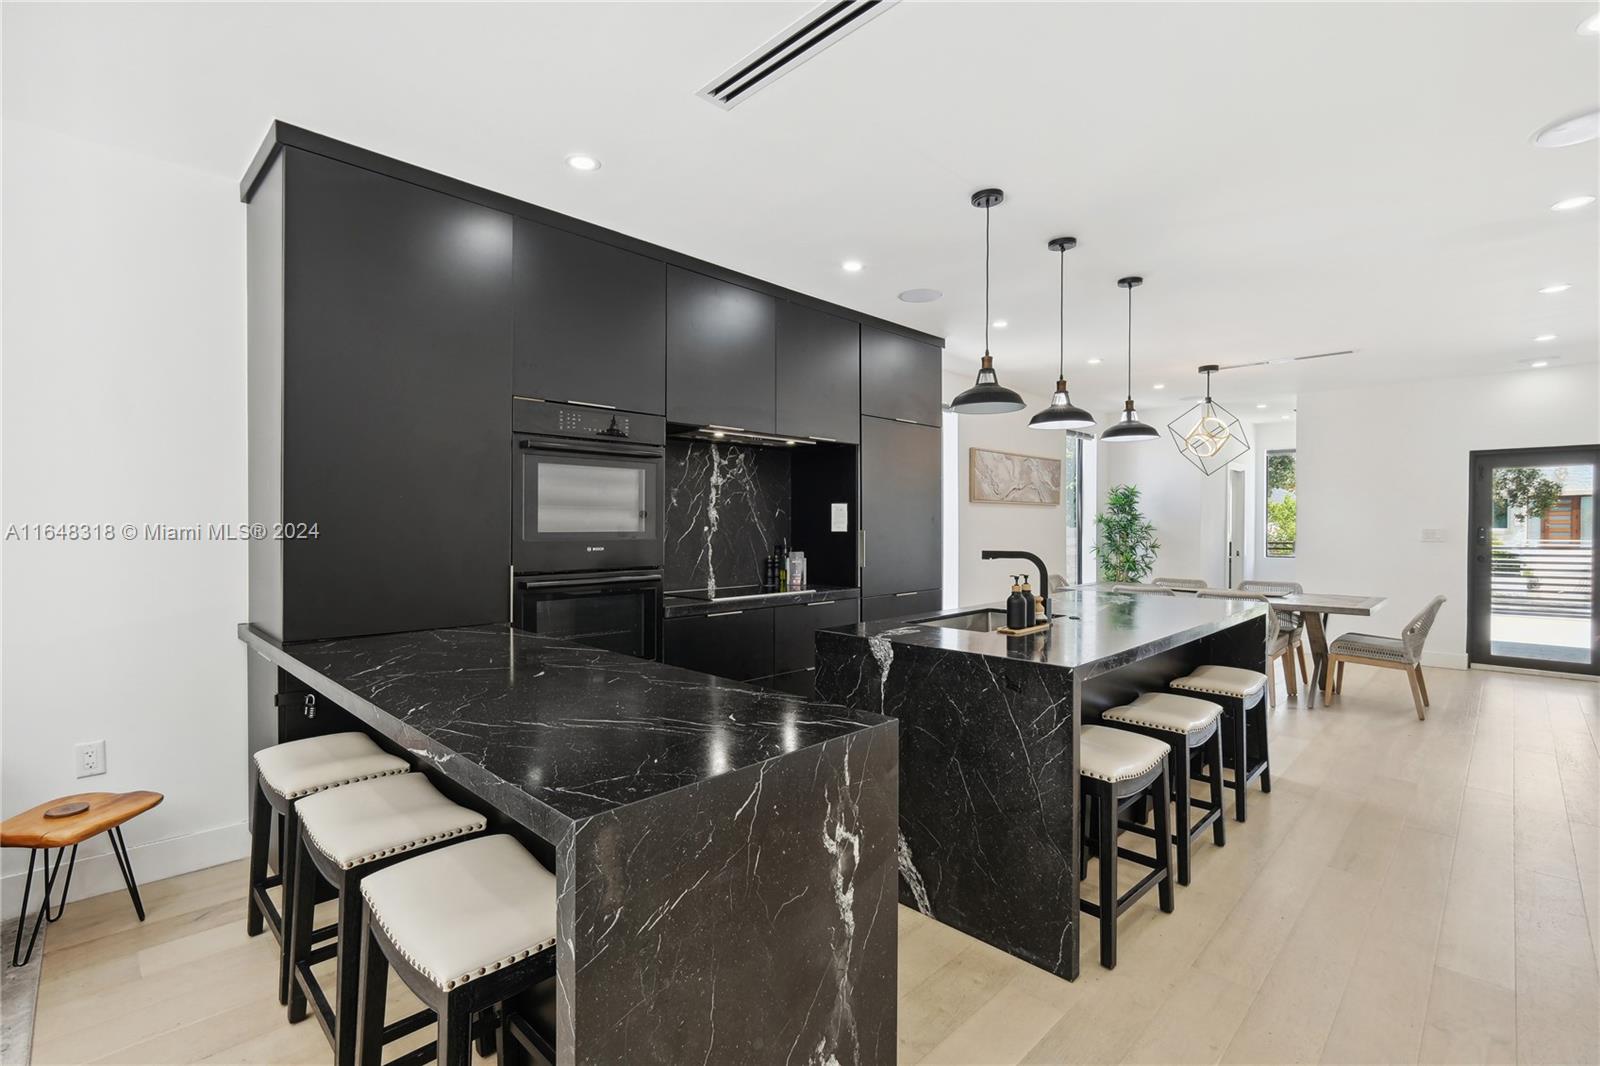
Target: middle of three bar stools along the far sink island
[1188,726]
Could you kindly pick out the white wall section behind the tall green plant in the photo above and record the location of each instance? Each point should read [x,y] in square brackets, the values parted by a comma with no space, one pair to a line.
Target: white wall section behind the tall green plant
[1188,508]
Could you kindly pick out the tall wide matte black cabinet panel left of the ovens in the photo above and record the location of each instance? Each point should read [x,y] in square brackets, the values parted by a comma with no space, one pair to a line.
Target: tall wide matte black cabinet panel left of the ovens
[396,404]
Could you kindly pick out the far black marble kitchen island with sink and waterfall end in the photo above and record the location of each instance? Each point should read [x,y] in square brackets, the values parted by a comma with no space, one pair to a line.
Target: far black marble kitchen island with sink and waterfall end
[990,737]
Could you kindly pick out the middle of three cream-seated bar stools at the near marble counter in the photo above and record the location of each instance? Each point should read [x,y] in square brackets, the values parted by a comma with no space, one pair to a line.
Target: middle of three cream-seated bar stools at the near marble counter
[345,836]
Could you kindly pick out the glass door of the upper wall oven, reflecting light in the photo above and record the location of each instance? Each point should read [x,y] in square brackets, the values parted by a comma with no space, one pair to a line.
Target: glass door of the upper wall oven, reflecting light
[588,511]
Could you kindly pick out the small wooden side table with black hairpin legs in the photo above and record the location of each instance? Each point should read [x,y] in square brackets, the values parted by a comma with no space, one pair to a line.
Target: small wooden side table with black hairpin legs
[63,824]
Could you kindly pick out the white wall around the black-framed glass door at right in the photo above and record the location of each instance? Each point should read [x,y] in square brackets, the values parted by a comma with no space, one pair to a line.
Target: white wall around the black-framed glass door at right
[1378,465]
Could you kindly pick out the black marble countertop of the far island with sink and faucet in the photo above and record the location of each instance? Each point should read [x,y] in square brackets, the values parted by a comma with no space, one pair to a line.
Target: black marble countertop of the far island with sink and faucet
[1092,631]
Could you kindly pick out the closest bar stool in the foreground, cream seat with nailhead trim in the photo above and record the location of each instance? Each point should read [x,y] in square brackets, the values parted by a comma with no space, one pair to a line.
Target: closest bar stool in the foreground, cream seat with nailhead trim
[466,928]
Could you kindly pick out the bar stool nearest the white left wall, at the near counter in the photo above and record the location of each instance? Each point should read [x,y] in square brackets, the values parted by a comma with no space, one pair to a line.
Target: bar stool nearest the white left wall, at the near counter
[286,774]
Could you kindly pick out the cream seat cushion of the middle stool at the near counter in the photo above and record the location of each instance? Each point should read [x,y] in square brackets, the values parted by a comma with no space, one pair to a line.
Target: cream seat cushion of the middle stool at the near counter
[370,820]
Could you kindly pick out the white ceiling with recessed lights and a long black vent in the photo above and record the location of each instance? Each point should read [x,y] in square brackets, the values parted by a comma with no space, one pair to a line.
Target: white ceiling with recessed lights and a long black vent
[1289,178]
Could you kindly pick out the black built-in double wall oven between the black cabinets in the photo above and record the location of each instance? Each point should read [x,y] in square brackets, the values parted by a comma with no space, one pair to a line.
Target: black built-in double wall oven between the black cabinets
[590,505]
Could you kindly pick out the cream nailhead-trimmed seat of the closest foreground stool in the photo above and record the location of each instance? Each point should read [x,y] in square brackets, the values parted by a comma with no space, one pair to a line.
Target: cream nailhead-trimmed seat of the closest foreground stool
[466,910]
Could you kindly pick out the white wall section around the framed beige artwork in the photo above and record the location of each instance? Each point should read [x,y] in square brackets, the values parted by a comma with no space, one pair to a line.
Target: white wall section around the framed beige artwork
[980,526]
